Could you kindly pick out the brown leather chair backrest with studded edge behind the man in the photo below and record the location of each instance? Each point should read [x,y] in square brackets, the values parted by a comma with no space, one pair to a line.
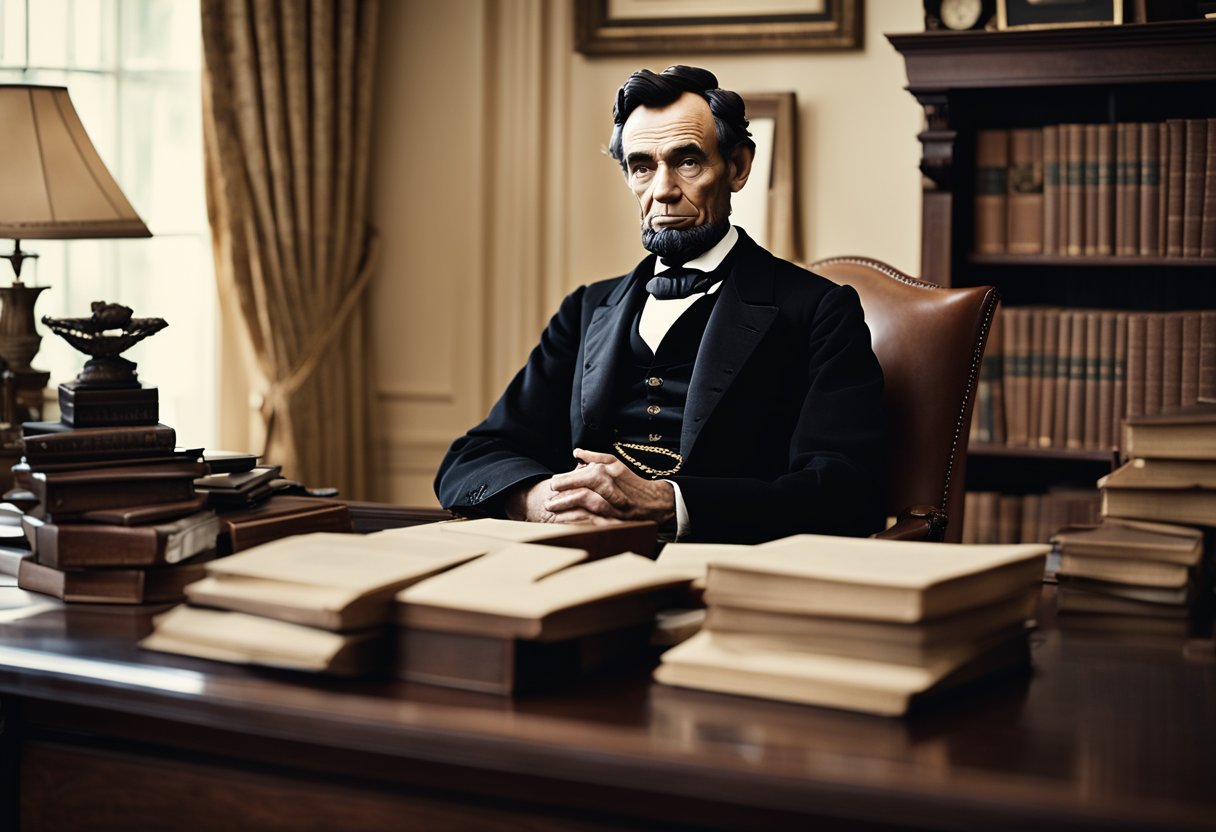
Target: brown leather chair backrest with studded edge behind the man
[930,341]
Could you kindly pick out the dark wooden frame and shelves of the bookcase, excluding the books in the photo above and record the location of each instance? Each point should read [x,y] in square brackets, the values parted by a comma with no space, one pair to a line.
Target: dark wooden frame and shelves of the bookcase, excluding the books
[975,82]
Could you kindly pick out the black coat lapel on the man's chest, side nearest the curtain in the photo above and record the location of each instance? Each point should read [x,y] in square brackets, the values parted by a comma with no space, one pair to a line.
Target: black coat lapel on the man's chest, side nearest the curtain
[606,356]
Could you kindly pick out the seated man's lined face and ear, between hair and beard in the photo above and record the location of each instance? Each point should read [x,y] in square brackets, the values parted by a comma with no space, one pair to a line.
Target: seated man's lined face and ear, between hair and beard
[674,167]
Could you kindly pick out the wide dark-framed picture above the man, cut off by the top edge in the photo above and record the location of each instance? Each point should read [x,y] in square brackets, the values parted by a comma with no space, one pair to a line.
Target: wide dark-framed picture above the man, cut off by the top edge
[637,27]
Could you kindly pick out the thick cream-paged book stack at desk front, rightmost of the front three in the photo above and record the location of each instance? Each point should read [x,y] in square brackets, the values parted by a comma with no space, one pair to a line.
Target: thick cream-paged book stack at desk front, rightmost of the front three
[869,626]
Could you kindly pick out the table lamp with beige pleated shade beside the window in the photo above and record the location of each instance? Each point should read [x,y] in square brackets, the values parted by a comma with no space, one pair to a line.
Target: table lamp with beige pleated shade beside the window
[53,187]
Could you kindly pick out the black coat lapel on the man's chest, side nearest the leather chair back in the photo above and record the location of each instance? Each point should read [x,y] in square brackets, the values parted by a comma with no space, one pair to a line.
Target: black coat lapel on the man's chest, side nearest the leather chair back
[740,321]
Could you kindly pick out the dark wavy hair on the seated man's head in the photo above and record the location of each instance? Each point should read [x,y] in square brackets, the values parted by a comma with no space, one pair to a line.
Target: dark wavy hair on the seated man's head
[649,89]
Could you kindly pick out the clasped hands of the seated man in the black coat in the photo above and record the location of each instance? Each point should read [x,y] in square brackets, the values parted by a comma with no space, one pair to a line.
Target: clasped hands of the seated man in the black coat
[601,490]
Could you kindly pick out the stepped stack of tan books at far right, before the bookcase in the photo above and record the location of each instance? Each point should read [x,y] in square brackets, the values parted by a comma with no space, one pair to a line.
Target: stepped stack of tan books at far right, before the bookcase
[1147,558]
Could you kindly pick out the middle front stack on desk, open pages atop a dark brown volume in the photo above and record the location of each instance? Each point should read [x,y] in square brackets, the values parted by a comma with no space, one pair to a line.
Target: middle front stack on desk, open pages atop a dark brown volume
[533,616]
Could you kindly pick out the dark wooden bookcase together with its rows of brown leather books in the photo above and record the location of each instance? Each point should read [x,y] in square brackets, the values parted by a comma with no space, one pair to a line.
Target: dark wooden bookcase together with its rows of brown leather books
[1076,171]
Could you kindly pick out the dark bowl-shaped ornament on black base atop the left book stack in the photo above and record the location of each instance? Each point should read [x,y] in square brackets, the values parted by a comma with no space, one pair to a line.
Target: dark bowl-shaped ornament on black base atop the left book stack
[108,391]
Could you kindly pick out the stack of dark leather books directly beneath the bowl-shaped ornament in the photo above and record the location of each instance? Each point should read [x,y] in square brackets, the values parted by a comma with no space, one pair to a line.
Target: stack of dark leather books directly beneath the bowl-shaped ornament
[117,519]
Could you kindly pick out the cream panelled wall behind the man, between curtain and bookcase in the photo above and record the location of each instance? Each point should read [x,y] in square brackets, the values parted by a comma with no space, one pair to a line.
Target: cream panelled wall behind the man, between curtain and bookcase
[494,198]
